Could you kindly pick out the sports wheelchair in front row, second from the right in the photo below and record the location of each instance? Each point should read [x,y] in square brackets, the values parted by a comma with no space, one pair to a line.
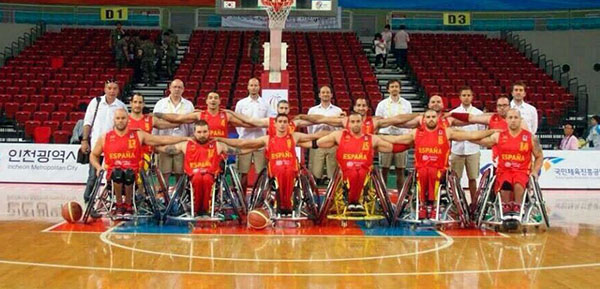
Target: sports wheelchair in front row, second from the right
[450,206]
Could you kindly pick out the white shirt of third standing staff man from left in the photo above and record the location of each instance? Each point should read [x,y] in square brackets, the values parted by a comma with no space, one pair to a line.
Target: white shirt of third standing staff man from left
[254,108]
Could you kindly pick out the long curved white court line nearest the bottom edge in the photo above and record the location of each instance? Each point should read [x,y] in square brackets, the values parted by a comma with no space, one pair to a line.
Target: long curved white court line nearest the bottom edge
[132,270]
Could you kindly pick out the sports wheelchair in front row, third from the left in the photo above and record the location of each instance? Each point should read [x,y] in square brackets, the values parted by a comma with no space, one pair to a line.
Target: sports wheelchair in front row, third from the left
[305,198]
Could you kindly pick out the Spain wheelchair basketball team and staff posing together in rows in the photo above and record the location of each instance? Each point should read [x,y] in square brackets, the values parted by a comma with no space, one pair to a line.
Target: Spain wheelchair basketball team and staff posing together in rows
[341,144]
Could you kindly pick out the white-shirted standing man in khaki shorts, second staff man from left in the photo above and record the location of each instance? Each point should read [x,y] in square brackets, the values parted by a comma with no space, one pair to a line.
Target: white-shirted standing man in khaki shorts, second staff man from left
[174,103]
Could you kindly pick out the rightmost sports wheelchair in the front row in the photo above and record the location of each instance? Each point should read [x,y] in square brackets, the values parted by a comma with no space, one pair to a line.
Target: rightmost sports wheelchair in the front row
[489,211]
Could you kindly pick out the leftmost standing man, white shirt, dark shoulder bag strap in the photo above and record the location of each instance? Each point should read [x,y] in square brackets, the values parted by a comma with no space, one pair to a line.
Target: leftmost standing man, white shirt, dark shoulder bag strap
[95,128]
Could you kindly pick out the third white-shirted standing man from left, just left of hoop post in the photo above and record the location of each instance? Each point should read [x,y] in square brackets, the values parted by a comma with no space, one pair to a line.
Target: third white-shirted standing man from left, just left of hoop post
[252,106]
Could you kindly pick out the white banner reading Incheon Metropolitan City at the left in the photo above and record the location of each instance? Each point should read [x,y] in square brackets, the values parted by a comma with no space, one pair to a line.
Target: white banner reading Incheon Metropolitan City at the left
[41,163]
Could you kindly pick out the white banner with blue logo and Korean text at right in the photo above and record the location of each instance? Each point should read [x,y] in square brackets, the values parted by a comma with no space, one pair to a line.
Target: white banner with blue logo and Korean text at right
[560,169]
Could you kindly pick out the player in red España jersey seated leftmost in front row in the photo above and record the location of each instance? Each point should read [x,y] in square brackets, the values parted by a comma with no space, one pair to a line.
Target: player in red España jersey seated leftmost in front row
[122,149]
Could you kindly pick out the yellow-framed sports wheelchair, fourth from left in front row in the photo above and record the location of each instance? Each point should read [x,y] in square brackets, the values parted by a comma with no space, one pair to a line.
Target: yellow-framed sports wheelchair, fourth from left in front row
[374,199]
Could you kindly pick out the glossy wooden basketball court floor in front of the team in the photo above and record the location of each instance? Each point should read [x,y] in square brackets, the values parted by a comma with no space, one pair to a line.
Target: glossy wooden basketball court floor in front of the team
[43,254]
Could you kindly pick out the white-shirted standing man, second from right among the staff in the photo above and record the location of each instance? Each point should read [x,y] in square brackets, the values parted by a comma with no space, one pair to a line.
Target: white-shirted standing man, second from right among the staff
[464,153]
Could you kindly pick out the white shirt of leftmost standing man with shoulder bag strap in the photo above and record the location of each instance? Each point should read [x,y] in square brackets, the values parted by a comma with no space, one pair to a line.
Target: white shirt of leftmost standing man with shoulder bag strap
[105,118]
